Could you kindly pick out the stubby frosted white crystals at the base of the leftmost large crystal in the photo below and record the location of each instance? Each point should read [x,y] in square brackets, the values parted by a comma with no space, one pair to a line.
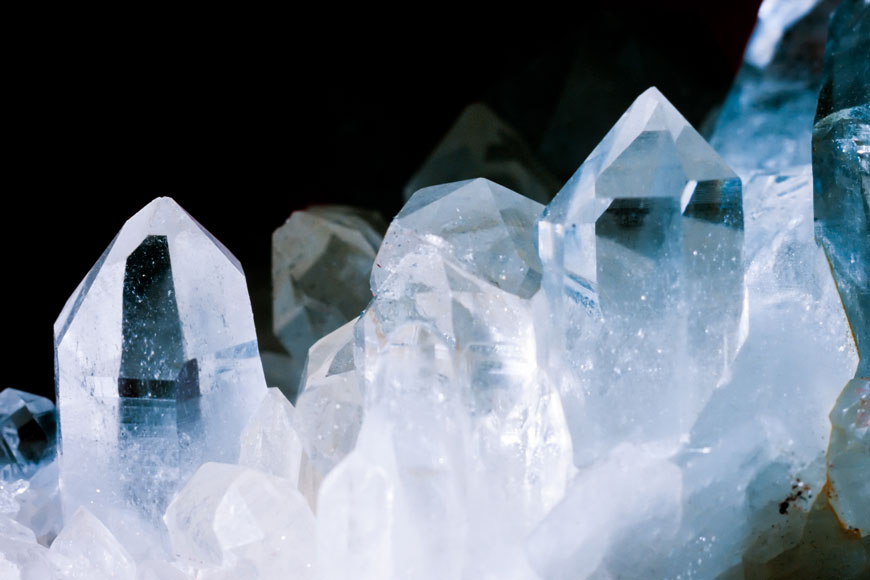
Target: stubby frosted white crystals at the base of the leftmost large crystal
[244,522]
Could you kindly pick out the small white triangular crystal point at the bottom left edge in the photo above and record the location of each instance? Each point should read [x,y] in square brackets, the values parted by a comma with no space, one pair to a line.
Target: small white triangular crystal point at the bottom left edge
[86,550]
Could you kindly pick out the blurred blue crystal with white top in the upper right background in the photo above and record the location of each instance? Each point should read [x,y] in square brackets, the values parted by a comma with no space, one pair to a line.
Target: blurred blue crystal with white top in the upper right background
[766,121]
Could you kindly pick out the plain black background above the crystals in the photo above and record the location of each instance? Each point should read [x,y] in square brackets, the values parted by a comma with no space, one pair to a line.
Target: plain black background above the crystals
[243,118]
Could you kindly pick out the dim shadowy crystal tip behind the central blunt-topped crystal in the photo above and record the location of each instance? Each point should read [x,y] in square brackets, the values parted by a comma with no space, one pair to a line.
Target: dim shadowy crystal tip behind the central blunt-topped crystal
[480,144]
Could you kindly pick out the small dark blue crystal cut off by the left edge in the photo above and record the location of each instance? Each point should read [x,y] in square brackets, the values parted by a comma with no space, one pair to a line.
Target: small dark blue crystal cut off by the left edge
[28,433]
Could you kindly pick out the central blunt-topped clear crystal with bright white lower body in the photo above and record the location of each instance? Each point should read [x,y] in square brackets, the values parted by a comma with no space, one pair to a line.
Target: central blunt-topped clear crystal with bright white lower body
[470,438]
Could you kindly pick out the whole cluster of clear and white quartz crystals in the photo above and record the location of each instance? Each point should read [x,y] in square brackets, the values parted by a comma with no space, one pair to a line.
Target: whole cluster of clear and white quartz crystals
[664,373]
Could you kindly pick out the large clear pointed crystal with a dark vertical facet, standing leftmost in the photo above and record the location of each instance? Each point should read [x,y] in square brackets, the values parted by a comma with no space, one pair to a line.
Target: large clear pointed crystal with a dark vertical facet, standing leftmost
[157,371]
